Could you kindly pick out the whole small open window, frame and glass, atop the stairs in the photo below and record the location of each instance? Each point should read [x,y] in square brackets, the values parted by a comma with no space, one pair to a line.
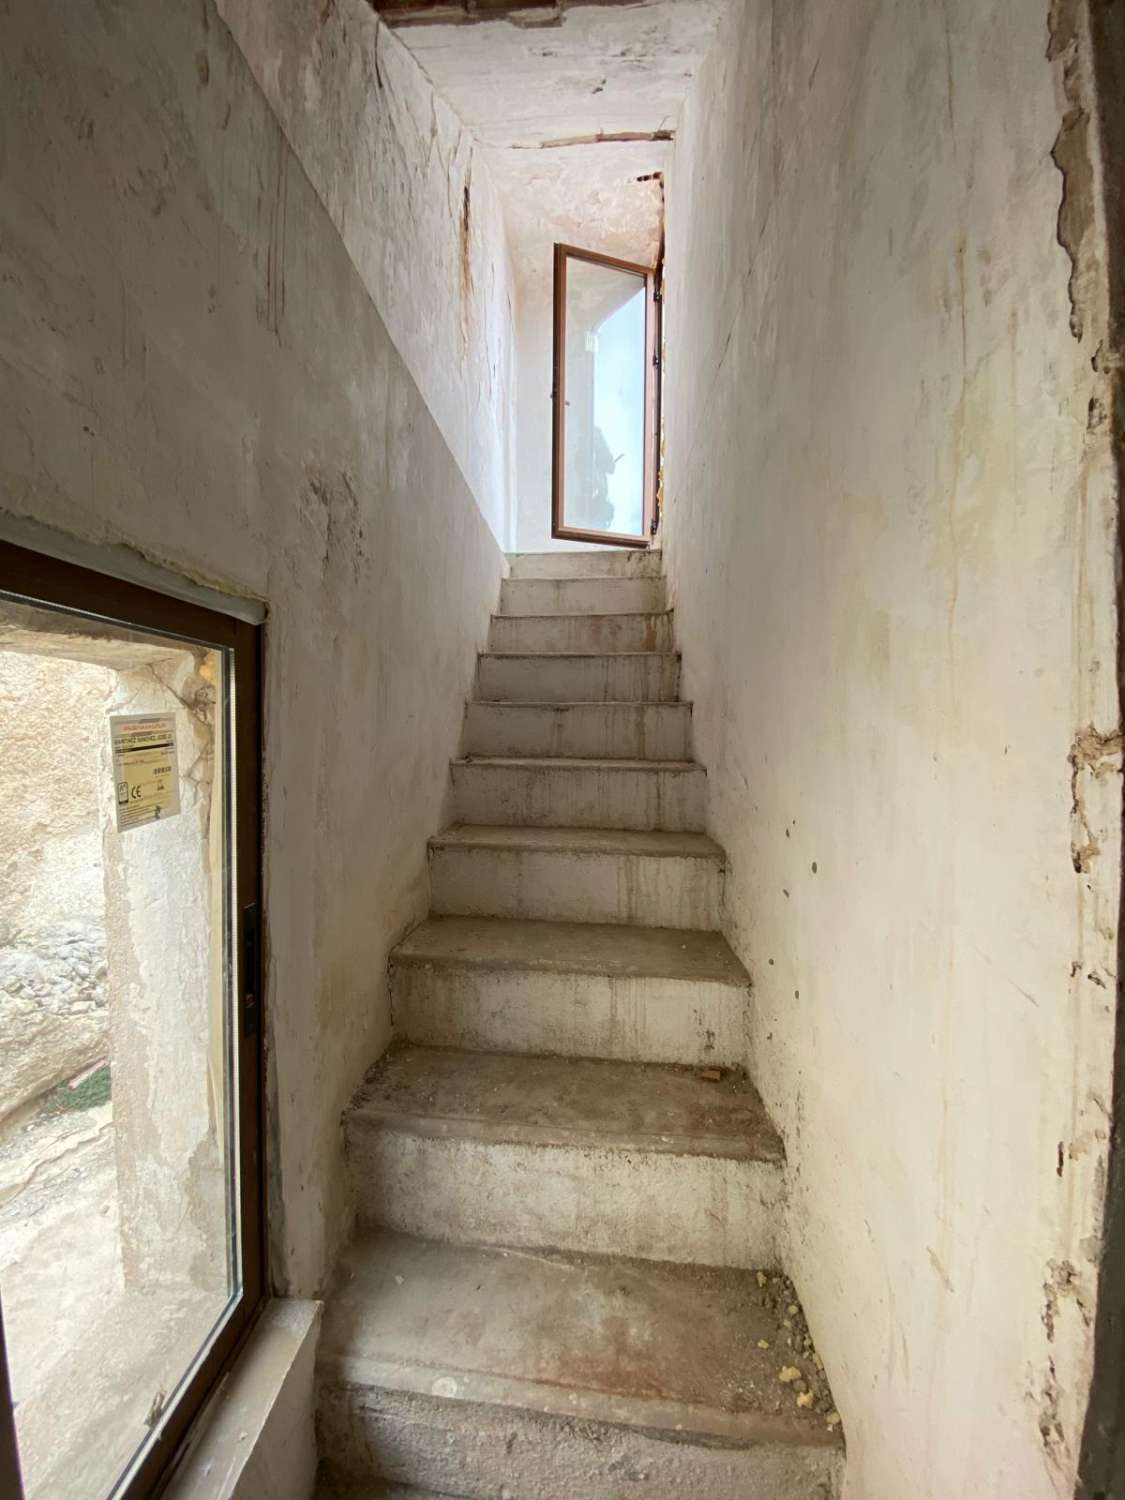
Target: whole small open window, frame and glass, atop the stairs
[607,380]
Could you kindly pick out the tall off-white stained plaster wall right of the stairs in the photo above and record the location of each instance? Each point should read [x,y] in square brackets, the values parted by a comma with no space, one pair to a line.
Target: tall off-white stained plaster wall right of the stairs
[890,535]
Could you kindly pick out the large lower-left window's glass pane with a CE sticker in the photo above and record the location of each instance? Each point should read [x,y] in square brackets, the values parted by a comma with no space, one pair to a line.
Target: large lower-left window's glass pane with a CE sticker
[118,1175]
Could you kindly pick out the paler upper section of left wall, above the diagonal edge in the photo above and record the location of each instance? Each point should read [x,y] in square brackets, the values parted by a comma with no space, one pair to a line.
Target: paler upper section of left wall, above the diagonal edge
[416,208]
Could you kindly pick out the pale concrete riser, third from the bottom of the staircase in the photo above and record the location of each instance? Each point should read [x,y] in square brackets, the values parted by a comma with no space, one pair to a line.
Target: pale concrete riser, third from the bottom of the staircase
[571,1015]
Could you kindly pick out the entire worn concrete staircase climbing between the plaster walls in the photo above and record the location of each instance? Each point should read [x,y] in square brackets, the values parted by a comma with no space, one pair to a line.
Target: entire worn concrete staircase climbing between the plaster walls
[566,1283]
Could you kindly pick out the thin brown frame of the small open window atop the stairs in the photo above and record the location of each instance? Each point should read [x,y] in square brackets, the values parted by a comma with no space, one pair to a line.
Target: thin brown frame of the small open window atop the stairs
[559,397]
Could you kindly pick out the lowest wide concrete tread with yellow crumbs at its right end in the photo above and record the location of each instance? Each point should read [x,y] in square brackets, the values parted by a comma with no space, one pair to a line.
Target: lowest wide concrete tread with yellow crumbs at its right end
[665,1348]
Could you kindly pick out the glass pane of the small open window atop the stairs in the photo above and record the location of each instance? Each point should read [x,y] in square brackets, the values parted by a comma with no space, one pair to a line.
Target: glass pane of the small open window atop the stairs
[605,400]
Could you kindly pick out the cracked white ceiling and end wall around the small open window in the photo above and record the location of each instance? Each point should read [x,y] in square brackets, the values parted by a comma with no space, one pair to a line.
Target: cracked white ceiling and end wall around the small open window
[577,128]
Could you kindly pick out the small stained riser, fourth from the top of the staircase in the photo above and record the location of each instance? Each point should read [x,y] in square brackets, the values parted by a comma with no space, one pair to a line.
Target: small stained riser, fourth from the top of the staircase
[643,677]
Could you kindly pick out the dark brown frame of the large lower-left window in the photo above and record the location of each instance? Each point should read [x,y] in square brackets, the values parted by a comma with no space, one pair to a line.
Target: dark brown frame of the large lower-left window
[40,580]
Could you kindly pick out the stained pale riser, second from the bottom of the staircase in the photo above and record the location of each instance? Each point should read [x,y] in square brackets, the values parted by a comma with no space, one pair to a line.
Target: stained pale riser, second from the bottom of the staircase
[709,1211]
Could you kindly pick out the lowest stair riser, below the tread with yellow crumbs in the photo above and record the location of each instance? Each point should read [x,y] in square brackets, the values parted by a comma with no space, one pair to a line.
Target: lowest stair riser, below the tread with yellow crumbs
[482,1453]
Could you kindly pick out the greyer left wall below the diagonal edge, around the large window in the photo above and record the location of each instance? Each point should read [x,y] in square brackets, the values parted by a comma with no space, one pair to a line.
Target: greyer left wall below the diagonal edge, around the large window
[191,365]
